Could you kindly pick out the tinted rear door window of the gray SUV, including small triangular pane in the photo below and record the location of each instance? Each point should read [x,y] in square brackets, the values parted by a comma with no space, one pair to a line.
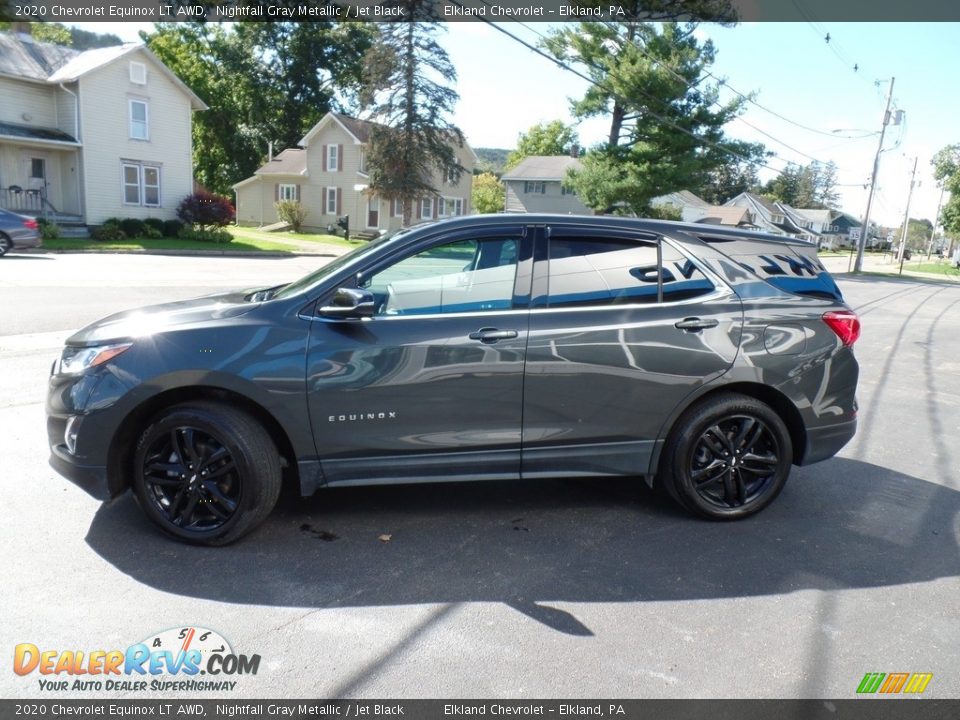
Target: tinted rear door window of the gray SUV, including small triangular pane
[590,272]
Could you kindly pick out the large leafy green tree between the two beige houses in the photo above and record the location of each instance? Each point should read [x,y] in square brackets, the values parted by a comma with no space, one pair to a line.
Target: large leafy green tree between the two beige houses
[263,83]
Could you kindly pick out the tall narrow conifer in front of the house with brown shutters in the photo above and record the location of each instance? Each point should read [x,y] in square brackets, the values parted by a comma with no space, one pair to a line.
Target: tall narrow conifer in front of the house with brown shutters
[407,91]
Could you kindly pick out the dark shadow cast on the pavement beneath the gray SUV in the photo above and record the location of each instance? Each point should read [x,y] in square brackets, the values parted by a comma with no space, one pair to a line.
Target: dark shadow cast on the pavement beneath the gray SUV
[840,524]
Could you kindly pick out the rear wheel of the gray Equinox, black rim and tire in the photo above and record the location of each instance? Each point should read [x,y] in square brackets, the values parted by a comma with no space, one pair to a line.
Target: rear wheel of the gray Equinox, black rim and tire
[727,457]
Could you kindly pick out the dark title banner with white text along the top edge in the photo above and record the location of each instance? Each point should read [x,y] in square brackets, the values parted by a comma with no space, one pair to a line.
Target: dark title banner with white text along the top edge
[552,11]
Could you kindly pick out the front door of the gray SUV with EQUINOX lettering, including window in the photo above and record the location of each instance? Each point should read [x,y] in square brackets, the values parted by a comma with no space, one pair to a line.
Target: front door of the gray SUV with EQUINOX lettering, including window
[431,386]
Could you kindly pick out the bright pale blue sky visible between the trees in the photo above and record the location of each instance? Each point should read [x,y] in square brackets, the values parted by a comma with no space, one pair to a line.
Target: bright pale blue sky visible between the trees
[790,68]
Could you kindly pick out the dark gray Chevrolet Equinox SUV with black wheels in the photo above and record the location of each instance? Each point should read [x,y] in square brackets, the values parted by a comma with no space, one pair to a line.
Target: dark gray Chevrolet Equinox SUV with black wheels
[703,359]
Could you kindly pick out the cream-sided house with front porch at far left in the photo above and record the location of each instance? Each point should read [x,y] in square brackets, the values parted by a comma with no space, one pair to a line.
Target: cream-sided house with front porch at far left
[85,136]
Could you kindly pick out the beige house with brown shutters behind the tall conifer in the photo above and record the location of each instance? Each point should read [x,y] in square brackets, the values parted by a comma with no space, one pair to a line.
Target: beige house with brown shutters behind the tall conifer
[328,175]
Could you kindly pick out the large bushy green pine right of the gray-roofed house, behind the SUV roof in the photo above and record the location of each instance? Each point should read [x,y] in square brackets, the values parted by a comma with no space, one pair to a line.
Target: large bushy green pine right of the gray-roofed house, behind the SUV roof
[666,121]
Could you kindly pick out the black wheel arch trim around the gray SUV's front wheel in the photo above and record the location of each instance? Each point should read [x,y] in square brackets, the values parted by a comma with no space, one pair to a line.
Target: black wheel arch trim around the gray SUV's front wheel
[120,457]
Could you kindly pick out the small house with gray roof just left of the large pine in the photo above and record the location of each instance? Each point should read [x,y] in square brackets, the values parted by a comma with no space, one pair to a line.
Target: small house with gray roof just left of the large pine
[536,185]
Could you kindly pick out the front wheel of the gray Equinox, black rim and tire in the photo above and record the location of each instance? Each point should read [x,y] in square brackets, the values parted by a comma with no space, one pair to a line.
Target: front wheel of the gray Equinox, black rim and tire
[230,447]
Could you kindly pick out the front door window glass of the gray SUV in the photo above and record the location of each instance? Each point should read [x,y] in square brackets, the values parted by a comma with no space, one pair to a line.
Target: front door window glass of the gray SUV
[462,276]
